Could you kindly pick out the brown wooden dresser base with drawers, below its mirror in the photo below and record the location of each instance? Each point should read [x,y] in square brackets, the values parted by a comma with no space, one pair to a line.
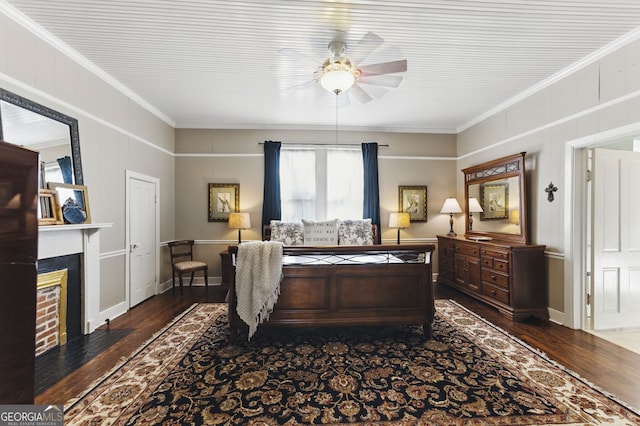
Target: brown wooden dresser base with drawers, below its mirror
[506,275]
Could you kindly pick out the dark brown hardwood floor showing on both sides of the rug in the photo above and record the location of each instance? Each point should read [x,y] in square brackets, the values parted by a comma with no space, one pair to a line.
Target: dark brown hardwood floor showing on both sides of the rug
[606,365]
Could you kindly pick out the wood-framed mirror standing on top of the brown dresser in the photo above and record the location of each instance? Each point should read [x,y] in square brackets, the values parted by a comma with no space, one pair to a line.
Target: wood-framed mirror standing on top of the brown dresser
[495,199]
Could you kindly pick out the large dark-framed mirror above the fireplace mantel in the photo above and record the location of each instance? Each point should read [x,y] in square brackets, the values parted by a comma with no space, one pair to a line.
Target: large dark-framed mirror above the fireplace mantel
[53,134]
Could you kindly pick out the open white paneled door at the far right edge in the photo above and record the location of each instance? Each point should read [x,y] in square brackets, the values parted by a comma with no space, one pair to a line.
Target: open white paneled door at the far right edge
[616,239]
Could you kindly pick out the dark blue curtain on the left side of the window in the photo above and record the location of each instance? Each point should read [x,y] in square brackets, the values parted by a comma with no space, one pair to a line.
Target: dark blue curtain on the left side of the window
[271,196]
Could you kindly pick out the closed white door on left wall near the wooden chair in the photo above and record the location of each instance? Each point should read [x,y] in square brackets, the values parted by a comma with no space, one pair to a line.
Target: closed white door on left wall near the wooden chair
[142,237]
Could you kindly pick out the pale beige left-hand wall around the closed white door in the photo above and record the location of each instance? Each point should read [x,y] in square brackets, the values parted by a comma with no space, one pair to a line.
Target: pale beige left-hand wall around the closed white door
[116,134]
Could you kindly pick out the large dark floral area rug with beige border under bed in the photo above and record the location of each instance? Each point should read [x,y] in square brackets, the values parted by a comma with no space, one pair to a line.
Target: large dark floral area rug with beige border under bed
[471,372]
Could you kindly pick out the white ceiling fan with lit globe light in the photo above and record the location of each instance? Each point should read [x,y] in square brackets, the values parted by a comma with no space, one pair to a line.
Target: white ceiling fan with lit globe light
[344,72]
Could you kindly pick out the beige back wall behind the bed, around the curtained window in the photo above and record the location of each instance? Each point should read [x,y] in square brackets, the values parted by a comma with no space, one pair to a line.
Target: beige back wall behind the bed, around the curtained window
[235,156]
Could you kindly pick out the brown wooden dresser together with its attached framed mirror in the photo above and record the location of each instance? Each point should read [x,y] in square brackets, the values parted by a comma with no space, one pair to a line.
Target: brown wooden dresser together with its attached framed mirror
[495,262]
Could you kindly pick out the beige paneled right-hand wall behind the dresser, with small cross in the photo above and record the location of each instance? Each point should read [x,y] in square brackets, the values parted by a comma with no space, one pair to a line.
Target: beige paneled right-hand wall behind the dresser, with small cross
[591,103]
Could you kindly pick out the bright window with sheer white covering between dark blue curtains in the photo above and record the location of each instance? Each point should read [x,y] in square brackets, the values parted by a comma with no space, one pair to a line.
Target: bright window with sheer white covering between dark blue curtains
[321,183]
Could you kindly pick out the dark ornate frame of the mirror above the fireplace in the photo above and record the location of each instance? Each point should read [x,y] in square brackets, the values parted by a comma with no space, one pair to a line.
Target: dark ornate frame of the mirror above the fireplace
[74,135]
